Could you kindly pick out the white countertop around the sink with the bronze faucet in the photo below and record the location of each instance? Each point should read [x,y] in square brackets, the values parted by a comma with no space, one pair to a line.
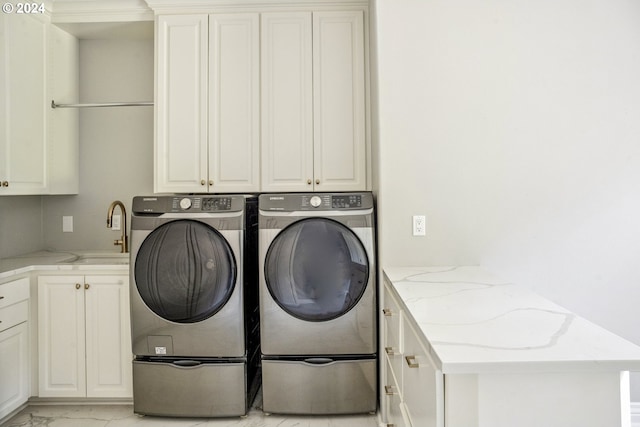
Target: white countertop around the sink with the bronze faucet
[63,261]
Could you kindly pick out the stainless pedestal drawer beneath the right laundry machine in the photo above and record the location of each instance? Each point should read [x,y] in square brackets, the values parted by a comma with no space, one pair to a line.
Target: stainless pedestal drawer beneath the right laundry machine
[339,387]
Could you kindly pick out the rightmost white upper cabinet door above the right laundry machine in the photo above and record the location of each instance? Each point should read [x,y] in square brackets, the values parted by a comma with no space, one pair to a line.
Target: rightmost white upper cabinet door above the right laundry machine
[339,101]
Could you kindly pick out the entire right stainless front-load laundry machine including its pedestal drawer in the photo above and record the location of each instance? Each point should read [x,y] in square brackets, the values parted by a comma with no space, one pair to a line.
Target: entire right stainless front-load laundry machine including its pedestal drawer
[317,303]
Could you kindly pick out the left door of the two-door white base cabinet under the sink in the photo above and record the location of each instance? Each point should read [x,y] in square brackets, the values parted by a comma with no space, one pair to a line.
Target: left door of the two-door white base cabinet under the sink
[61,332]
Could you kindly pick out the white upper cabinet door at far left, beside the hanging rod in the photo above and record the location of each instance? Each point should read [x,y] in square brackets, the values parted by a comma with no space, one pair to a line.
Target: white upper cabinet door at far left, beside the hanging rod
[23,104]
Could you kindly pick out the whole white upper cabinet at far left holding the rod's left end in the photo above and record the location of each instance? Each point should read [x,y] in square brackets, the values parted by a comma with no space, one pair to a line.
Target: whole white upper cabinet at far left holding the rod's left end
[38,147]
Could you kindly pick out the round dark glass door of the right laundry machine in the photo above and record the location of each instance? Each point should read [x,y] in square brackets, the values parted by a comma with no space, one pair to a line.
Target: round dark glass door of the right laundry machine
[316,269]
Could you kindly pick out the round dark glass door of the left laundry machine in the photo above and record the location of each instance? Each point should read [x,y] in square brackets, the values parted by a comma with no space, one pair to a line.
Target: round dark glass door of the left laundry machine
[185,271]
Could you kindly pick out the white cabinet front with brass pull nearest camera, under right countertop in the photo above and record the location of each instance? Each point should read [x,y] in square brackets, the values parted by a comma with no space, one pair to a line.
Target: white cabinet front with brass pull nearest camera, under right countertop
[423,390]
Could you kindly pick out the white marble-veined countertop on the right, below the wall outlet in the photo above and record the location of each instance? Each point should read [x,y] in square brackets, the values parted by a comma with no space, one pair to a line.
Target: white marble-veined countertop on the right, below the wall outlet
[478,323]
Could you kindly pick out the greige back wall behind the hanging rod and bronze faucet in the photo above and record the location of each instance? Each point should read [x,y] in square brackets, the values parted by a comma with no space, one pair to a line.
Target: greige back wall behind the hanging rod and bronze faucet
[116,144]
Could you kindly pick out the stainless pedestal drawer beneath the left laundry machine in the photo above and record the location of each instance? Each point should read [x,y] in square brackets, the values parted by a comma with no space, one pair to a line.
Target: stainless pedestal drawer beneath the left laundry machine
[178,389]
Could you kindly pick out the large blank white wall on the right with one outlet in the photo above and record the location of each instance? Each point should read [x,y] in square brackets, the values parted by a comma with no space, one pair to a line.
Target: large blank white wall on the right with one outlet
[515,127]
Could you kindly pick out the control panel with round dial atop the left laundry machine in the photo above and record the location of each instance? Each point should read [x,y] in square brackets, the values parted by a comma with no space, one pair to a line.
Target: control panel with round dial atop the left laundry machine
[187,203]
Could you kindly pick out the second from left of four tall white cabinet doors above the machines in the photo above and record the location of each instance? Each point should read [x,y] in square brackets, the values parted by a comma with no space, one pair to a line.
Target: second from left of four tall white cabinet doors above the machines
[234,121]
